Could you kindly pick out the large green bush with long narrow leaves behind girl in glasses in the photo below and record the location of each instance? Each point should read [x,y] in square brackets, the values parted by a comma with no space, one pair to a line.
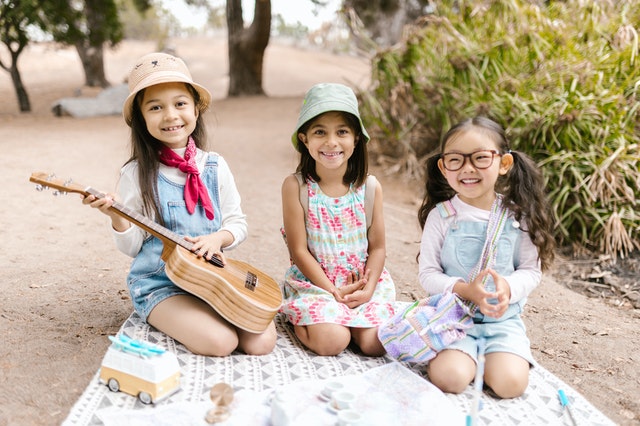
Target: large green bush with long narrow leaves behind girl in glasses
[563,79]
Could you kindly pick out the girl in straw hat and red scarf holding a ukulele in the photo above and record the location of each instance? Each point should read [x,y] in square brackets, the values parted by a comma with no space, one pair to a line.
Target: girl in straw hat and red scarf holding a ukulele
[171,179]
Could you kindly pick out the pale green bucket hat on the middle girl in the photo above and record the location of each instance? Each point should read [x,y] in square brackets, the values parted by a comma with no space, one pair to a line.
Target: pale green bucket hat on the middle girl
[325,97]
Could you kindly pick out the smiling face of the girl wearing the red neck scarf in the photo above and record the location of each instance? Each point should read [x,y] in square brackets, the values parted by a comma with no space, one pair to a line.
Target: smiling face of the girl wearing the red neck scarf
[170,113]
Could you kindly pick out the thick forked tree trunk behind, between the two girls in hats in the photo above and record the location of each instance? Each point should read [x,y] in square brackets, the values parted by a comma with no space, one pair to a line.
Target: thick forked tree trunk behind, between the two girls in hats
[246,47]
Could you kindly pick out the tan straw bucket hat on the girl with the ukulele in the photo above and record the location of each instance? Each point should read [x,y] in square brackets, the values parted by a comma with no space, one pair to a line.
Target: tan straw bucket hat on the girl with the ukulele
[156,68]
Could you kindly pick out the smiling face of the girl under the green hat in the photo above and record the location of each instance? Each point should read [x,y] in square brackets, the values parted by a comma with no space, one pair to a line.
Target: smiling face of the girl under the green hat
[330,141]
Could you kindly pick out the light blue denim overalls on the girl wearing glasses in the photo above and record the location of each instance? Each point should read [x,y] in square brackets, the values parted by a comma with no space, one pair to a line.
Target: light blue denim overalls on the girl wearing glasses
[461,250]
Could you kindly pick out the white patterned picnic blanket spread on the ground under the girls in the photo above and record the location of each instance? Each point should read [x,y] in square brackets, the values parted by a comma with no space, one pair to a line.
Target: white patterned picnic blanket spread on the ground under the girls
[384,388]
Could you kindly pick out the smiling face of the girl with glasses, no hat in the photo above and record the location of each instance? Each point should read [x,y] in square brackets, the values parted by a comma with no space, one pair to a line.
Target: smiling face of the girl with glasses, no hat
[475,186]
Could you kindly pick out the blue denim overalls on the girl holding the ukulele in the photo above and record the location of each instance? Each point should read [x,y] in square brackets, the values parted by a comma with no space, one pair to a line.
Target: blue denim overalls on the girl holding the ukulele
[147,281]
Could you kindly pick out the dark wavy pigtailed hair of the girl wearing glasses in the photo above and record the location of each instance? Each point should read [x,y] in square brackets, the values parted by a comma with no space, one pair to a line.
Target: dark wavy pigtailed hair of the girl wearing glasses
[522,187]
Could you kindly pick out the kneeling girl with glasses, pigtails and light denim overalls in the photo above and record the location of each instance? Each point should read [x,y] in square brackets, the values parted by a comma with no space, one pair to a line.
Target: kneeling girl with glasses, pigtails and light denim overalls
[474,169]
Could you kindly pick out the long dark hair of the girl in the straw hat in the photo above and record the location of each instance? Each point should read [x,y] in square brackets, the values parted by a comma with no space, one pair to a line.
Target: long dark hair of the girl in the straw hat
[145,150]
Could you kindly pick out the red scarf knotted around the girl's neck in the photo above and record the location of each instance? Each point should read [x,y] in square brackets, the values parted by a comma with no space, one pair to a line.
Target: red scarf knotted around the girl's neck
[194,188]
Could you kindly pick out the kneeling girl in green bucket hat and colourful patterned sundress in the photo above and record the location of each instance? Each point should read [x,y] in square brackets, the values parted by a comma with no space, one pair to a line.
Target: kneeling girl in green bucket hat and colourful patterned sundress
[337,288]
